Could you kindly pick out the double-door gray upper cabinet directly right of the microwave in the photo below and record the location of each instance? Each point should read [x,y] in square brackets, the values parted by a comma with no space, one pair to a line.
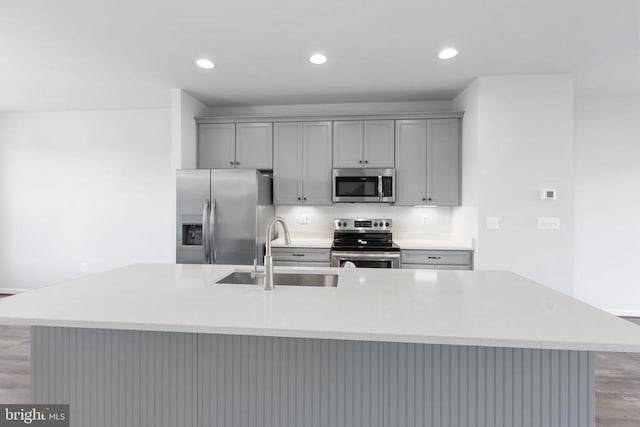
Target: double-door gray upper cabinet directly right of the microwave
[428,162]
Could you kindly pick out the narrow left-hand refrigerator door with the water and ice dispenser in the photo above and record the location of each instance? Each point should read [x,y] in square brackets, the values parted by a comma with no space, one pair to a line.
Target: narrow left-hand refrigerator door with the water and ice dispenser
[193,205]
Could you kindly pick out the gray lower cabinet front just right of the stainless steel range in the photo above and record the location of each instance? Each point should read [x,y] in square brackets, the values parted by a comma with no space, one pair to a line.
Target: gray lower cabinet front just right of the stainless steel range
[436,259]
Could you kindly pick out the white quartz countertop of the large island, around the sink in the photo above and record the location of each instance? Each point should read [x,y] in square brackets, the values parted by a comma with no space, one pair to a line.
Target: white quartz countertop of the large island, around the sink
[480,308]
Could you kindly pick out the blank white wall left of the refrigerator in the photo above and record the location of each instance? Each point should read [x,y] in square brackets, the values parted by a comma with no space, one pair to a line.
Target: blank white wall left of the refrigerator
[83,187]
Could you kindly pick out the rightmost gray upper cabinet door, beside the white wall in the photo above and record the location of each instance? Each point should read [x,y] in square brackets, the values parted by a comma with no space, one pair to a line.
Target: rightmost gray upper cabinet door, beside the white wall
[443,162]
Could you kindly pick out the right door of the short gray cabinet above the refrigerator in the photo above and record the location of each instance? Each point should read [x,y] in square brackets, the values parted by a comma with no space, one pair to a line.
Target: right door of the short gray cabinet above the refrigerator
[254,145]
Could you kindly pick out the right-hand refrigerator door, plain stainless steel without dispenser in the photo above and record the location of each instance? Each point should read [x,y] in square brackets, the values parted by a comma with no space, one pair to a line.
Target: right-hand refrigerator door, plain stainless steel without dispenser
[235,195]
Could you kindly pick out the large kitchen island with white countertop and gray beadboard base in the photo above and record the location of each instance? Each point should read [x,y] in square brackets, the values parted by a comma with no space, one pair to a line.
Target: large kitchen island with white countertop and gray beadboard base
[156,345]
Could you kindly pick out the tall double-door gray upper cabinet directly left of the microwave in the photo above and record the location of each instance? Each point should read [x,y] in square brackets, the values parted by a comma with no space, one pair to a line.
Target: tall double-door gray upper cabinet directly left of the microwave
[302,163]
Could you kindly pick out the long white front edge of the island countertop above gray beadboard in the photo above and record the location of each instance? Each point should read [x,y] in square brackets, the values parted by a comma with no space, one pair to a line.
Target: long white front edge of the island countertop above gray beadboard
[330,335]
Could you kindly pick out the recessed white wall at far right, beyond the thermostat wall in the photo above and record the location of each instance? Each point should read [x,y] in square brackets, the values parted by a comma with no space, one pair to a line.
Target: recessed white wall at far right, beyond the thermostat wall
[607,203]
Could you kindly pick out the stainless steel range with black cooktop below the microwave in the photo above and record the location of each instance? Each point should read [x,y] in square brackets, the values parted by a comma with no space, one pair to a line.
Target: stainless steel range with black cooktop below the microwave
[365,243]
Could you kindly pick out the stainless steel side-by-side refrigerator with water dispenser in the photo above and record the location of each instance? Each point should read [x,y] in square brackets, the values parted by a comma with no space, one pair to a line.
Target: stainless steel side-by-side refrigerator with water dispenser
[222,215]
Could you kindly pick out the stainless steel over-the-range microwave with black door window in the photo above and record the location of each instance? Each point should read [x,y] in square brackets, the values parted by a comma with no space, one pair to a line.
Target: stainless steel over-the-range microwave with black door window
[364,185]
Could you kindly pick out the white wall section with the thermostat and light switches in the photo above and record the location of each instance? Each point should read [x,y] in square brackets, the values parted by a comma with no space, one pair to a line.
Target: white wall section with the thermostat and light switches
[523,130]
